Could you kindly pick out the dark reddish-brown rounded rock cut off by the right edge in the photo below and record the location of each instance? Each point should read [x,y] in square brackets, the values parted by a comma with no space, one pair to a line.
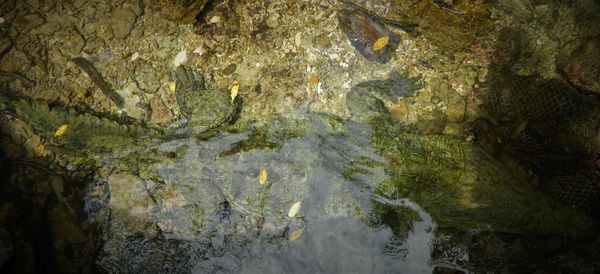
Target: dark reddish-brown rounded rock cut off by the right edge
[582,68]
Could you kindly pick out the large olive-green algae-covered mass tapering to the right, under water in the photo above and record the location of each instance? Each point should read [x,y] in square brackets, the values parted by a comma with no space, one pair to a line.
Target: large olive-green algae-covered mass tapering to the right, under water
[463,187]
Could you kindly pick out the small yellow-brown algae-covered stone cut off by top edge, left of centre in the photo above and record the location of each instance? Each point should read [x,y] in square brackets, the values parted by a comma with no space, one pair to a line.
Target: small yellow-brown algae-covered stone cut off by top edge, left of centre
[182,11]
